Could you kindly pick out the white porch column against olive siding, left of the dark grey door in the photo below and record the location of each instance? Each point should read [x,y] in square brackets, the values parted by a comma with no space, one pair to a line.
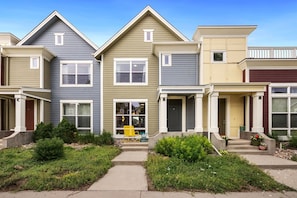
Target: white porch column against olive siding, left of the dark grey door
[163,113]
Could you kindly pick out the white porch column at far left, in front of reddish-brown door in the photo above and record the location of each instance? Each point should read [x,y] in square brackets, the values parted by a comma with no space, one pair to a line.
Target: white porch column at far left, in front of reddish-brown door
[20,113]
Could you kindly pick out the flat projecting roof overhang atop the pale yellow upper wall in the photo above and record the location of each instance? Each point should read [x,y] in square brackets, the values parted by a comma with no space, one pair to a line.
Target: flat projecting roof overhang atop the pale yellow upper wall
[223,30]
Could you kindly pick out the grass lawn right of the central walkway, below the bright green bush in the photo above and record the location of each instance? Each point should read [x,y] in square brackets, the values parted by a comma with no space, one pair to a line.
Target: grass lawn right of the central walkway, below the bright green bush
[228,173]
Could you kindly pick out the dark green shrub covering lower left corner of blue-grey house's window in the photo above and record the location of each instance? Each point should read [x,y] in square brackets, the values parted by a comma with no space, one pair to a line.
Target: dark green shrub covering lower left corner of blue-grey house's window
[66,131]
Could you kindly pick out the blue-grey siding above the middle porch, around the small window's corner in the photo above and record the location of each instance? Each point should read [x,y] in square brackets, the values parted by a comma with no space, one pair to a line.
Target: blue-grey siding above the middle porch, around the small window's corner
[184,70]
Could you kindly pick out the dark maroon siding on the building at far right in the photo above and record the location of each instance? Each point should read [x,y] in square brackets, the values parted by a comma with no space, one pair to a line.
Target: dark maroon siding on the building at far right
[274,76]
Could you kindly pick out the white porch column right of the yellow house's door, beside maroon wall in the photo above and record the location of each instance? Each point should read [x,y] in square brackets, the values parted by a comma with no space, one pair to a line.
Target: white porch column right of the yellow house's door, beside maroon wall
[258,112]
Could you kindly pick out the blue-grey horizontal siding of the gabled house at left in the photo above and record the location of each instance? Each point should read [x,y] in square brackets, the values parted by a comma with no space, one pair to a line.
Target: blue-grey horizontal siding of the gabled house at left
[74,48]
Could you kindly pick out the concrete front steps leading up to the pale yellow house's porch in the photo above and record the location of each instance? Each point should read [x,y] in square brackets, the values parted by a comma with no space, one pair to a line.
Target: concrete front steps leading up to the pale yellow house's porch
[243,147]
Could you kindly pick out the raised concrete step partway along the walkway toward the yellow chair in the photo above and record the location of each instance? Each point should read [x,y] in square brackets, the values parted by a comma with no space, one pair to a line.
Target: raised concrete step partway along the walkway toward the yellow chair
[131,158]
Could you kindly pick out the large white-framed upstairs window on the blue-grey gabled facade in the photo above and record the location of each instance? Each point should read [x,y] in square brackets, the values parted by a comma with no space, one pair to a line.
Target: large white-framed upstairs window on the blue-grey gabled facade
[76,73]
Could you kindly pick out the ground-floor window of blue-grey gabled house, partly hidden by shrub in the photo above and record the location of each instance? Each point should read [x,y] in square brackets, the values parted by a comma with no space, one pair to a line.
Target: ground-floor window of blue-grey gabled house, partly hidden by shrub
[79,113]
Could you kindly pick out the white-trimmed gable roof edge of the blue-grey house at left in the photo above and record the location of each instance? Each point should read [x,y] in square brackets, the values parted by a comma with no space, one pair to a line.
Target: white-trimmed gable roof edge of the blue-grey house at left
[49,20]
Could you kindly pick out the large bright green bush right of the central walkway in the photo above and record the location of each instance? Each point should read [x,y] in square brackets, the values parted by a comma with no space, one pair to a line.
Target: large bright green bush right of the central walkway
[189,148]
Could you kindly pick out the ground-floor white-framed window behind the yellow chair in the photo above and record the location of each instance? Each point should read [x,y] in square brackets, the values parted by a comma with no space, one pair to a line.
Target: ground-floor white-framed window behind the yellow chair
[130,113]
